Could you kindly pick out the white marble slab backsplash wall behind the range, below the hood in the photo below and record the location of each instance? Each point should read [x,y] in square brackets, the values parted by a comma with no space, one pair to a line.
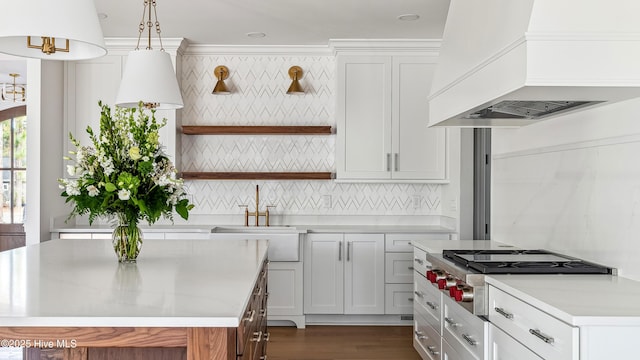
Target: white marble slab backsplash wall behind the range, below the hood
[572,185]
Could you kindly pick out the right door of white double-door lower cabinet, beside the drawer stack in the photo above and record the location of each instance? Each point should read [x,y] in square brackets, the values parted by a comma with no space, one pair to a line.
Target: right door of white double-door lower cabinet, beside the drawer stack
[364,274]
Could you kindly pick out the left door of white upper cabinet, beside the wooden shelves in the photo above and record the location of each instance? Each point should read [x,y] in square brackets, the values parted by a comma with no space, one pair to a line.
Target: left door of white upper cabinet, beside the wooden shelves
[363,115]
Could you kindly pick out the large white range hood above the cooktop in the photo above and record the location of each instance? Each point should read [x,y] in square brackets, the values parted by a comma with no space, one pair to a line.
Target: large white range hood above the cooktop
[512,63]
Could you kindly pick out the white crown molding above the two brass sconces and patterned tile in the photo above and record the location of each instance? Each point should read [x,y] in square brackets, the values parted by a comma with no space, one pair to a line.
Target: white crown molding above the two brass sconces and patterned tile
[290,50]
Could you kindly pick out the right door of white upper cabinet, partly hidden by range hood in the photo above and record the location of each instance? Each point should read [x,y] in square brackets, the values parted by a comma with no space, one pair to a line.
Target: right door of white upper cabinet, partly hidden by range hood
[418,151]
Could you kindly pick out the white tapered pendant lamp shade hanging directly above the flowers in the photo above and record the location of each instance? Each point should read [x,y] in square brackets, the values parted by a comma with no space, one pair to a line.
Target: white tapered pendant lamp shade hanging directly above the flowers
[149,77]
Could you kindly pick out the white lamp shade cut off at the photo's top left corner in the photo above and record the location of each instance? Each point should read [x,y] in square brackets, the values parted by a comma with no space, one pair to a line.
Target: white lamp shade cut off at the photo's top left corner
[75,20]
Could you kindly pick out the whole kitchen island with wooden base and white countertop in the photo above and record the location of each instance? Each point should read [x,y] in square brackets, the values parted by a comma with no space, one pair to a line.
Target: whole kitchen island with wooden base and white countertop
[186,299]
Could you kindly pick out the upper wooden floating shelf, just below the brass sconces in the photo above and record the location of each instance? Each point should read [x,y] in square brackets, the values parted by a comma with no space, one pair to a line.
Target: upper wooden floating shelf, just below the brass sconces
[270,130]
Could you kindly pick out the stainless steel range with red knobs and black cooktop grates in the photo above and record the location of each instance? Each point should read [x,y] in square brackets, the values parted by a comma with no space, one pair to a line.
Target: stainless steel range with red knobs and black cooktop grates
[460,273]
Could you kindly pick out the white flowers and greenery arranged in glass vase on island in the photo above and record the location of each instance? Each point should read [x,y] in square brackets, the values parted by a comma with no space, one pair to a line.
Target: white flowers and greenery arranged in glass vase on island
[125,174]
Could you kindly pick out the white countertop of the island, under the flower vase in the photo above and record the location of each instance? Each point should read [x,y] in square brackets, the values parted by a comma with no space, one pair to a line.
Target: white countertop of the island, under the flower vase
[185,283]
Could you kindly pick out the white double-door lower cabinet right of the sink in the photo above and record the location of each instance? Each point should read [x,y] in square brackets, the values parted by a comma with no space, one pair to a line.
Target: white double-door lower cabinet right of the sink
[344,274]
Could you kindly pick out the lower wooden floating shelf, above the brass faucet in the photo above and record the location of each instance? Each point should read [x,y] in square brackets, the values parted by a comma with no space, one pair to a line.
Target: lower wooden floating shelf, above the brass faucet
[257,175]
